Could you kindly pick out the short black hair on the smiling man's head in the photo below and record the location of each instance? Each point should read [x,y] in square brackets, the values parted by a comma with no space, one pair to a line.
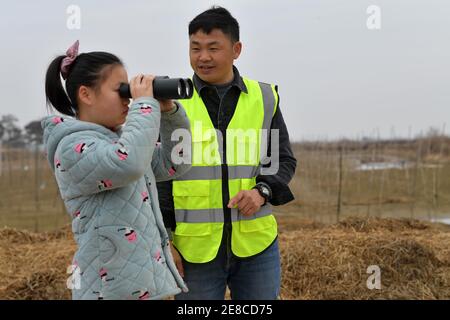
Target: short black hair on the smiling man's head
[216,18]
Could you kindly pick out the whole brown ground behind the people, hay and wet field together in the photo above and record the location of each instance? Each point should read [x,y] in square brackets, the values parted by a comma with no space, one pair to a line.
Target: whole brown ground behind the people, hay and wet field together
[358,204]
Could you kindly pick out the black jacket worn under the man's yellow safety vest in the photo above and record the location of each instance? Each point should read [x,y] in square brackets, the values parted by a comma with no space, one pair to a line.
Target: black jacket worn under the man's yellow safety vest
[220,118]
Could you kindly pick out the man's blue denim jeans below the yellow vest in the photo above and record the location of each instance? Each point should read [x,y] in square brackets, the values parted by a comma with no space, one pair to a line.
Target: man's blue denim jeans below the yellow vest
[254,278]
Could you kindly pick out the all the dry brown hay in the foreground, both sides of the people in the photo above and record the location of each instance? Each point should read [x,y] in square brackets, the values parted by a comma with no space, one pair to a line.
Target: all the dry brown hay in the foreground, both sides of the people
[318,261]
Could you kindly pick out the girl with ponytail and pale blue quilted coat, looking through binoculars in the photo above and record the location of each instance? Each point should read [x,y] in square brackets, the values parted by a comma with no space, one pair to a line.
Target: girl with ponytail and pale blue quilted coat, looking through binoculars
[106,175]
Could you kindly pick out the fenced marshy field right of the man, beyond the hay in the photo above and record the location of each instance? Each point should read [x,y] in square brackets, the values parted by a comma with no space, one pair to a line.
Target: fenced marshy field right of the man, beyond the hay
[376,178]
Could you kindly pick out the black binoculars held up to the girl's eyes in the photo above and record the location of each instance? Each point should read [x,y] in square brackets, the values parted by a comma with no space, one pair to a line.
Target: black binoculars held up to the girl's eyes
[164,88]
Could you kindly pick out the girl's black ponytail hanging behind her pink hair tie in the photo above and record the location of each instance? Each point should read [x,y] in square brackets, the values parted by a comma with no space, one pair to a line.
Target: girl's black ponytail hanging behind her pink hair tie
[54,91]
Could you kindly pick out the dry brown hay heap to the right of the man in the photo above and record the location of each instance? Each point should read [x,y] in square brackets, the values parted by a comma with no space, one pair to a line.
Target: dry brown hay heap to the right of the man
[331,262]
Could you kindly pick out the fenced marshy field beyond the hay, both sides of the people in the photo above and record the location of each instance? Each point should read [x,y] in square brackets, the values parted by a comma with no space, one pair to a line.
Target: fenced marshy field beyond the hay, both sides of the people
[333,180]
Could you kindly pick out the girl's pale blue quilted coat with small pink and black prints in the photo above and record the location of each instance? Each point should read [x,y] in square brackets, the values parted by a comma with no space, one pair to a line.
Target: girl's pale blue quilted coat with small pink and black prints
[107,181]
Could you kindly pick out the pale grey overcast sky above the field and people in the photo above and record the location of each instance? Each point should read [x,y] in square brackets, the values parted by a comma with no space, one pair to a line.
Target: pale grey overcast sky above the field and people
[336,77]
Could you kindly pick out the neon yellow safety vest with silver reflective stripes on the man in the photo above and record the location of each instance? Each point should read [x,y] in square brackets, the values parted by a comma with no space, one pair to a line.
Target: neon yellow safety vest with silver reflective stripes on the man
[198,194]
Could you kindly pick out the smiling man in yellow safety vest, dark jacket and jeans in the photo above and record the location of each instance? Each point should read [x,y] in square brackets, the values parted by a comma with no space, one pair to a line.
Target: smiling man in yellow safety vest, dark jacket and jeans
[224,230]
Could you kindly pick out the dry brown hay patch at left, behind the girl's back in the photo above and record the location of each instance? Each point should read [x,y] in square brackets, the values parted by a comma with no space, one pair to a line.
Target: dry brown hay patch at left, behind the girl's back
[33,266]
